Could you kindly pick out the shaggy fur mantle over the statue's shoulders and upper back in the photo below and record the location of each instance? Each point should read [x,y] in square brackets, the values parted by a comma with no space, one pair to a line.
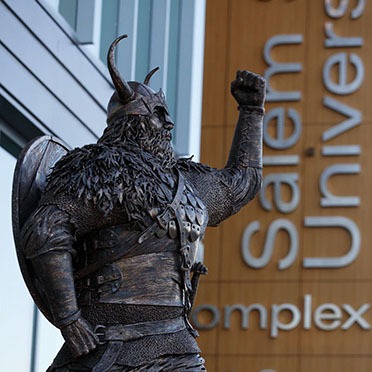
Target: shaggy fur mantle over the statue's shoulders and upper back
[108,176]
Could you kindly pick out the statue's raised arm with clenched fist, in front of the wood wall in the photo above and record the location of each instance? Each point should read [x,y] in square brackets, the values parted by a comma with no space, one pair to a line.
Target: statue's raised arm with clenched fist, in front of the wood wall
[225,191]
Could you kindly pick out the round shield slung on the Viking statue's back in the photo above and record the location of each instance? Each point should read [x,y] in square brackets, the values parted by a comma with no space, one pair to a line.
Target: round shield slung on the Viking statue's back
[34,165]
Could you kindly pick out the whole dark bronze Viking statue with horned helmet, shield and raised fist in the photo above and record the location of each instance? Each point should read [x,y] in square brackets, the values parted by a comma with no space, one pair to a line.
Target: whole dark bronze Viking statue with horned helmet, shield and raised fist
[107,234]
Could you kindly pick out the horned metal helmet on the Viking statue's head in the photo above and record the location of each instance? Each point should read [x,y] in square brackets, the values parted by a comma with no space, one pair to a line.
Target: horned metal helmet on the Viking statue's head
[132,98]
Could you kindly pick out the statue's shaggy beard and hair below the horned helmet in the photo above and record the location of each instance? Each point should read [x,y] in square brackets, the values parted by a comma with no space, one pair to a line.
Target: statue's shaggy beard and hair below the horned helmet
[136,131]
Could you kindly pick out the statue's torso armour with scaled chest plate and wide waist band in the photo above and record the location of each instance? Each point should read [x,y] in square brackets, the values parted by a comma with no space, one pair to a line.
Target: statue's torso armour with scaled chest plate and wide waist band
[144,266]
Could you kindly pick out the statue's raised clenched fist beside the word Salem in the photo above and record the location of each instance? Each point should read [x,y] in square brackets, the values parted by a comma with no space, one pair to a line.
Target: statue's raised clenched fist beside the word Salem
[248,89]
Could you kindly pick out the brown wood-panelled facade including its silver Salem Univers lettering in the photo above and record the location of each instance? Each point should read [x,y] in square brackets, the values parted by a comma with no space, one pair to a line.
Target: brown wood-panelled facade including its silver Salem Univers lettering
[289,285]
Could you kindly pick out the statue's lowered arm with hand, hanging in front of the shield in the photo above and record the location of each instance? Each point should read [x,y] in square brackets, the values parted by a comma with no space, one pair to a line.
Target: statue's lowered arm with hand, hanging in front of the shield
[47,239]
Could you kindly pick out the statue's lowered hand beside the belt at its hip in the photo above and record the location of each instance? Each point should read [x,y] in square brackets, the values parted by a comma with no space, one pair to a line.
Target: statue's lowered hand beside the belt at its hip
[80,337]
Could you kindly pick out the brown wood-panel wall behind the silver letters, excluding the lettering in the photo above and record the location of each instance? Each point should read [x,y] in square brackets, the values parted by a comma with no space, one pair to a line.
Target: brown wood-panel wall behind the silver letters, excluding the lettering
[236,33]
